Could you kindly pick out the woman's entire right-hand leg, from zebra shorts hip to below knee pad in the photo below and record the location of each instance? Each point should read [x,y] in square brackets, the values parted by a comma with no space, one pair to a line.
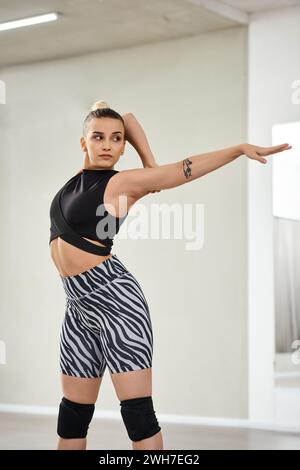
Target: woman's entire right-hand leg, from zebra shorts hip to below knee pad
[127,343]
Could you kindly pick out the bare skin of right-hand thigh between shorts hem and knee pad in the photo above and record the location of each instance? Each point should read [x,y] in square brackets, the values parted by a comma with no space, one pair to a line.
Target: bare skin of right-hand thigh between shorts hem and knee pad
[133,384]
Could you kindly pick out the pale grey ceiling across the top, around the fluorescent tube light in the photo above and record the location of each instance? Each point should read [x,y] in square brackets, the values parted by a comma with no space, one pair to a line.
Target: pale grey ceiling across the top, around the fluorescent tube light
[100,25]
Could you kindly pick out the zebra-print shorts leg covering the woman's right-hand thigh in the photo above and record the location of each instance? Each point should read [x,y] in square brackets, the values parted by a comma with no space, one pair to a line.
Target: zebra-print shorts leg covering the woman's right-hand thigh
[126,333]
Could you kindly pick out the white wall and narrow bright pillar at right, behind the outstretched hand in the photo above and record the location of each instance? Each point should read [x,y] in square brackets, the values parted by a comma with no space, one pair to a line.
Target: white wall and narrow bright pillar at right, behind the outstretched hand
[274,50]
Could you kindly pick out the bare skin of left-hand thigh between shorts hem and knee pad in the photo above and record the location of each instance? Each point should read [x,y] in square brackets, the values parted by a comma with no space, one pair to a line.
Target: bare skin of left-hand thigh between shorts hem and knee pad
[80,390]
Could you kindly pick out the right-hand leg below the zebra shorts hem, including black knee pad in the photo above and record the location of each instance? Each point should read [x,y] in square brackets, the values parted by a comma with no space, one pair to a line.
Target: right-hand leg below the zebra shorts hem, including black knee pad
[138,415]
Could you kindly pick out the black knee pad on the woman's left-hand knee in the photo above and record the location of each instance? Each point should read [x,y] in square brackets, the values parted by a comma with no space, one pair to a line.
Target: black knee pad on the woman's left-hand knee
[74,419]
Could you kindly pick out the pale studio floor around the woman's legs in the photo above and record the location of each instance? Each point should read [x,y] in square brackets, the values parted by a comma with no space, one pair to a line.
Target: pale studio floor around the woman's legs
[24,431]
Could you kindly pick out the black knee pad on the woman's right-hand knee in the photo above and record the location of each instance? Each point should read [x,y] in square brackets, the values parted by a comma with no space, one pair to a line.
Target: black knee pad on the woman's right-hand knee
[139,418]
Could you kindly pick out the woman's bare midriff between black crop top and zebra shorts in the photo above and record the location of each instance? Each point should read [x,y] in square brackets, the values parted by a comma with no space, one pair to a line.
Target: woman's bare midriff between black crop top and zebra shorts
[70,260]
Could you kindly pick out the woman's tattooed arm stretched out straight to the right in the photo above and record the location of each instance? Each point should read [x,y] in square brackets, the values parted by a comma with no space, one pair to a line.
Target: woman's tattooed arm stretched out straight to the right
[139,182]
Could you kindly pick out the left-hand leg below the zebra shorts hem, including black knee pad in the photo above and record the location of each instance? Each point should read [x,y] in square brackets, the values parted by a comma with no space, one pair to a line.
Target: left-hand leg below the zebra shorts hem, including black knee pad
[80,391]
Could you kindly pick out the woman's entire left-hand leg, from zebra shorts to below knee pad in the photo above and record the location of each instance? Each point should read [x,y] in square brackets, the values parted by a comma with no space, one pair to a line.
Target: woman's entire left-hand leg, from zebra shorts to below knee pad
[82,365]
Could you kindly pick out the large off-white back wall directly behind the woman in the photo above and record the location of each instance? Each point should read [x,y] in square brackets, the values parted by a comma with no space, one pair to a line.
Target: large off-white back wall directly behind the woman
[190,95]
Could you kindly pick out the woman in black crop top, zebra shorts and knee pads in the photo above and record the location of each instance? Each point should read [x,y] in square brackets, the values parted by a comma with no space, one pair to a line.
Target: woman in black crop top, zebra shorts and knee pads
[107,320]
